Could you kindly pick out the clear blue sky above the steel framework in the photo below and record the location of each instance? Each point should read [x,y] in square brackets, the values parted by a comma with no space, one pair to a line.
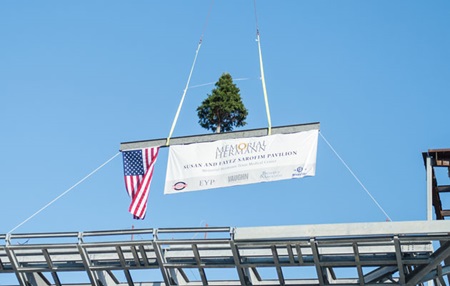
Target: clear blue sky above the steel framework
[79,77]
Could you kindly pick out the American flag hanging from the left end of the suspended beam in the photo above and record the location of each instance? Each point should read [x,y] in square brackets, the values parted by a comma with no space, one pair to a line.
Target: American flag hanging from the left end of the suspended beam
[138,168]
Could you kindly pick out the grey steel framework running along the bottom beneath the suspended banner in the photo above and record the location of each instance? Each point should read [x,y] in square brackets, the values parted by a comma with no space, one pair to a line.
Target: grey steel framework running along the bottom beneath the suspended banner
[388,253]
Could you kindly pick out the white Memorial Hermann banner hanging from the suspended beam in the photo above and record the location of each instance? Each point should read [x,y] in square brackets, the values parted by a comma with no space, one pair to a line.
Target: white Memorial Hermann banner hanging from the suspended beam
[241,161]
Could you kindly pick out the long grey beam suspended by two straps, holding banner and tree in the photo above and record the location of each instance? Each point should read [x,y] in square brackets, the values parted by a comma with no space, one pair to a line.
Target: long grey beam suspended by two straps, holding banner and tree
[218,136]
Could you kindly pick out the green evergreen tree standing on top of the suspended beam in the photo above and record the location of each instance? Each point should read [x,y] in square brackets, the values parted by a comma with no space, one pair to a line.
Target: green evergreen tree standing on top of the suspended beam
[223,109]
